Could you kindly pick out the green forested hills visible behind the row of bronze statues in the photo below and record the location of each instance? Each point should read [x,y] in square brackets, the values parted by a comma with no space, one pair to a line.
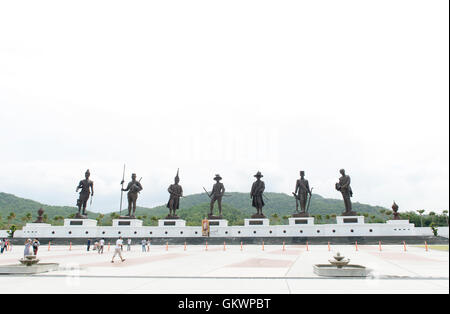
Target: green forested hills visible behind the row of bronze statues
[192,208]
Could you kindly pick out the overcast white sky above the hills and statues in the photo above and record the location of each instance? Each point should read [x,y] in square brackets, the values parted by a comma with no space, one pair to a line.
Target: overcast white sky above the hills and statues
[229,87]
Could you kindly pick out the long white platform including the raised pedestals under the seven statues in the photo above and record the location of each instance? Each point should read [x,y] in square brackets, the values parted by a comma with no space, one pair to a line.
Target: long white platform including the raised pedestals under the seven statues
[347,226]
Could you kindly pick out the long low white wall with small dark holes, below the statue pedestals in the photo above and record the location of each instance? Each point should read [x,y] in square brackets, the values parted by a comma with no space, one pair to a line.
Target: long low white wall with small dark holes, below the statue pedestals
[328,230]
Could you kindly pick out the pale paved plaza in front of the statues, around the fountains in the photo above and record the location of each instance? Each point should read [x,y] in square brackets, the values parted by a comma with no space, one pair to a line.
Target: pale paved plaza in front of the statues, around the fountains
[252,270]
